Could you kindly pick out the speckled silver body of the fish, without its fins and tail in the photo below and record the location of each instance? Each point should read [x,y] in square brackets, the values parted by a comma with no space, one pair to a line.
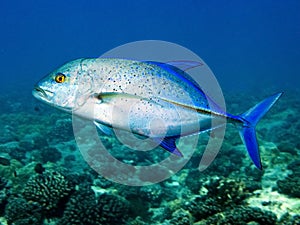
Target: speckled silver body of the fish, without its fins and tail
[131,95]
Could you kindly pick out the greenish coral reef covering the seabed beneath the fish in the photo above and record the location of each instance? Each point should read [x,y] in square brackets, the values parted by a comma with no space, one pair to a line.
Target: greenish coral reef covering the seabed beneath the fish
[44,180]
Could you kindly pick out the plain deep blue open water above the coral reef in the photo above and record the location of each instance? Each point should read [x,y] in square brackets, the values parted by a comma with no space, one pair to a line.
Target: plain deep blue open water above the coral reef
[244,44]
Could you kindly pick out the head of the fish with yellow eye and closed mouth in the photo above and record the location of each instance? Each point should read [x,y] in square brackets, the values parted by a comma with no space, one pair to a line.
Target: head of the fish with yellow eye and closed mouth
[59,88]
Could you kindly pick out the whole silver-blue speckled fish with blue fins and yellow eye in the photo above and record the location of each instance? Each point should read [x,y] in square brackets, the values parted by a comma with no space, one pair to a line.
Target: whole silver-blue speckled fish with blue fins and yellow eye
[156,100]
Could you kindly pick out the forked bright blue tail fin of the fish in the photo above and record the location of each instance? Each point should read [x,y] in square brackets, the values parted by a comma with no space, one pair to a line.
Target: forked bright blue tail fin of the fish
[250,119]
